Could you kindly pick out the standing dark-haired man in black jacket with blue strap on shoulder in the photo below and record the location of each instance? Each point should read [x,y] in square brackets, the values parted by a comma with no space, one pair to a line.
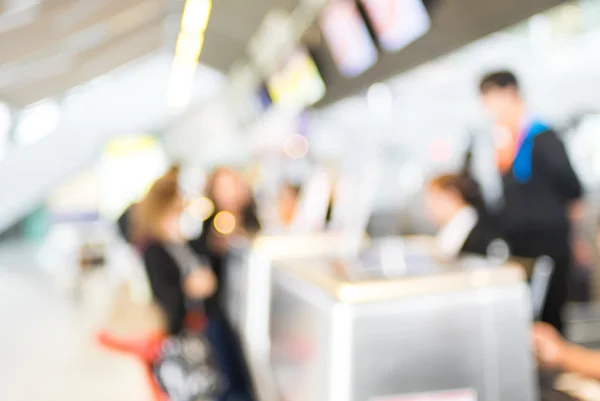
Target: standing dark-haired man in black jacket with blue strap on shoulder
[539,185]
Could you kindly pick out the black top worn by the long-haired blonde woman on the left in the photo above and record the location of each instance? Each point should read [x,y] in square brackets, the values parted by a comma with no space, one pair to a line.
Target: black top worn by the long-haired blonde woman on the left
[165,280]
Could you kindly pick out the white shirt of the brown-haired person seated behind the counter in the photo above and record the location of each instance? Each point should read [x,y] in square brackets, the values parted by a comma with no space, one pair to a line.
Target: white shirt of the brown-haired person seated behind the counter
[453,235]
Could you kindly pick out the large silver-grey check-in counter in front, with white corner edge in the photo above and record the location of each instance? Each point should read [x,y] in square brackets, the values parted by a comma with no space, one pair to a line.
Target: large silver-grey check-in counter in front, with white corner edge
[356,332]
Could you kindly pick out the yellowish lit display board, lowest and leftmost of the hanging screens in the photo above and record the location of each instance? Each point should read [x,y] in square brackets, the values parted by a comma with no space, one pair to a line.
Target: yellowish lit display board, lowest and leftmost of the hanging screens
[297,83]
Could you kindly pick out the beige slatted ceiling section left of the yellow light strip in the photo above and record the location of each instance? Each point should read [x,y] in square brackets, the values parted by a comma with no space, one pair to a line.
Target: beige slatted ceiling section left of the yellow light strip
[54,45]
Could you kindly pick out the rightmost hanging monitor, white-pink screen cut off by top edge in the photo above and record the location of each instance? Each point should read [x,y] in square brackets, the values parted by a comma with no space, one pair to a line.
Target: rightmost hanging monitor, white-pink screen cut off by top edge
[397,23]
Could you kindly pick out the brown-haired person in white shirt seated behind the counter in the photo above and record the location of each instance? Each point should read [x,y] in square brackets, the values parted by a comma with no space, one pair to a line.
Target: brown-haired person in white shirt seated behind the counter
[455,205]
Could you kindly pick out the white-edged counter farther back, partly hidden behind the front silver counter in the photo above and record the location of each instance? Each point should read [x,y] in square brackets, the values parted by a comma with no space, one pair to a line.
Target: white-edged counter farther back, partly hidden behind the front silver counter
[247,293]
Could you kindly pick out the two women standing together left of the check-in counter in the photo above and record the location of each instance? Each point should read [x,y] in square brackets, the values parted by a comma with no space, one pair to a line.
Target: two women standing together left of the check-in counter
[184,275]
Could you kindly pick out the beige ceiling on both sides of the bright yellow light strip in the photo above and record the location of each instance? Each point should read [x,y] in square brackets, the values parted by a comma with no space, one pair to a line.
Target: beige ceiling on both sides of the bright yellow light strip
[50,46]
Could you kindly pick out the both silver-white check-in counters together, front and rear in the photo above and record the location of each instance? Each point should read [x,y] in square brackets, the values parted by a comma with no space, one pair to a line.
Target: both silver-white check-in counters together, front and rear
[376,329]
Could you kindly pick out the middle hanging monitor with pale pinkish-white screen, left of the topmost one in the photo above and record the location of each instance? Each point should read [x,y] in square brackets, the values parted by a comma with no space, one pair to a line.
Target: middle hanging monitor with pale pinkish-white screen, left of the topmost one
[348,38]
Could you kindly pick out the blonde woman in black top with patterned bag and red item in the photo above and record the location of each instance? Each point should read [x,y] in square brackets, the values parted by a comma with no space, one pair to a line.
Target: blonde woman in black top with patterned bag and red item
[180,284]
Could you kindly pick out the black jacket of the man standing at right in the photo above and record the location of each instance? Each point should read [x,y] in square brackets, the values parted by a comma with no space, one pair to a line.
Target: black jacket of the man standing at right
[540,203]
